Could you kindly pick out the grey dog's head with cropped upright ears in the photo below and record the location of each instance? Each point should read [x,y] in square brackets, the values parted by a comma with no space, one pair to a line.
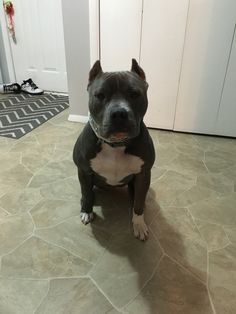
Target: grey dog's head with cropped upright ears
[117,102]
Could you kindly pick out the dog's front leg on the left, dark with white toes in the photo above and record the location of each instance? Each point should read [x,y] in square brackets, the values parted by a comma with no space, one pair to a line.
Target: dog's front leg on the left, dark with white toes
[87,200]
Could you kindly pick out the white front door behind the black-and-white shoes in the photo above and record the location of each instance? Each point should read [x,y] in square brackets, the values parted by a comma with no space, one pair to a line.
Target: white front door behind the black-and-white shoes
[39,52]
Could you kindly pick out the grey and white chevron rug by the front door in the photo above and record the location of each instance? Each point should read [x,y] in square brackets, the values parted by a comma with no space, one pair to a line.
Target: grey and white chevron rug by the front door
[20,114]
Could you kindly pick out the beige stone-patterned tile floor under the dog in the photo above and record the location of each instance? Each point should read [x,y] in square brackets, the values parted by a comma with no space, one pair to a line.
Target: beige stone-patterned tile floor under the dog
[51,263]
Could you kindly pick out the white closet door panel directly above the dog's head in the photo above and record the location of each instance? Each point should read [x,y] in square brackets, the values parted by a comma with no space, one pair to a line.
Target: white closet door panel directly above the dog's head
[120,33]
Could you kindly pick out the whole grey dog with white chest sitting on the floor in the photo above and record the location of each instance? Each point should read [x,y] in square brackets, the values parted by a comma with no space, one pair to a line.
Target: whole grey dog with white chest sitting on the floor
[115,148]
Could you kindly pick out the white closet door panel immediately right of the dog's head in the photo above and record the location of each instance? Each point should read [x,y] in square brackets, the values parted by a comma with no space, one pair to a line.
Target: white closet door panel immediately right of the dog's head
[163,30]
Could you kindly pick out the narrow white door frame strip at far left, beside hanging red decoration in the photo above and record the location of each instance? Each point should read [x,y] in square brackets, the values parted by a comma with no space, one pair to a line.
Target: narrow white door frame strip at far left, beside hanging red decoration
[6,45]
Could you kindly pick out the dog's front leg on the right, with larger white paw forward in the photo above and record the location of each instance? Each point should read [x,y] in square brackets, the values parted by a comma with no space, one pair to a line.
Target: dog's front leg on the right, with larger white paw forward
[141,186]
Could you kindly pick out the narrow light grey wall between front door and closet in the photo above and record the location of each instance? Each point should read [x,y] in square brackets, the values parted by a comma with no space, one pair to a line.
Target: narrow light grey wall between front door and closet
[76,32]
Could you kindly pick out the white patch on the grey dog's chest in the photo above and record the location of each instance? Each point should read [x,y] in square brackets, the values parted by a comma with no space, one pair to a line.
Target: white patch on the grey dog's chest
[114,165]
